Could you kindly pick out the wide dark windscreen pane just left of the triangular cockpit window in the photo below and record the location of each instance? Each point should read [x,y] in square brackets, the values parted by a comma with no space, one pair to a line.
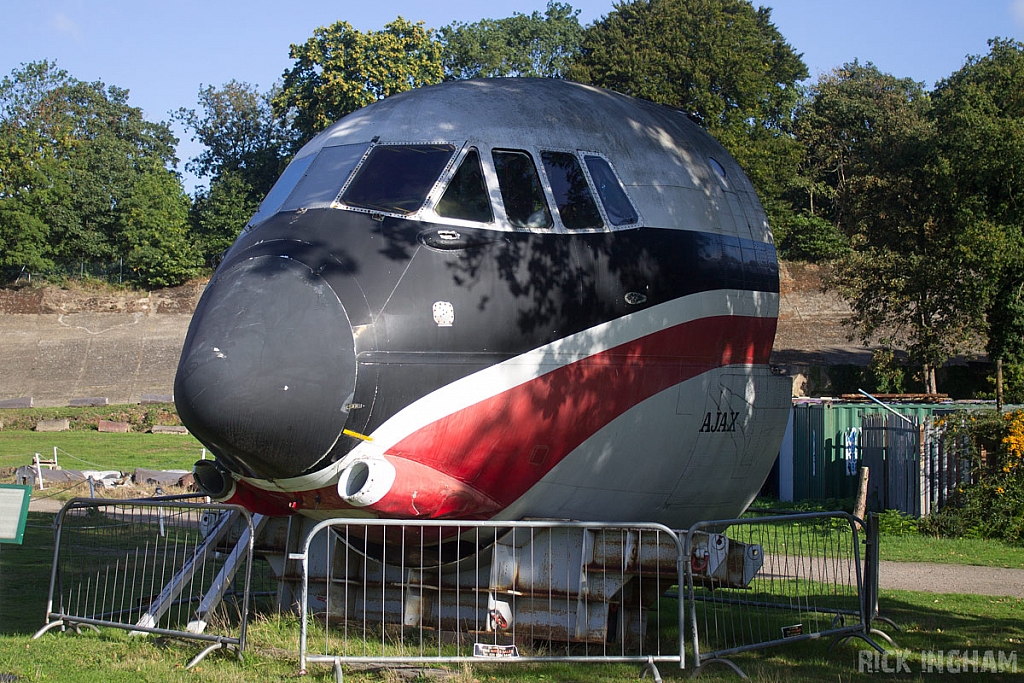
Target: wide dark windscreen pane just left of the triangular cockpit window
[397,179]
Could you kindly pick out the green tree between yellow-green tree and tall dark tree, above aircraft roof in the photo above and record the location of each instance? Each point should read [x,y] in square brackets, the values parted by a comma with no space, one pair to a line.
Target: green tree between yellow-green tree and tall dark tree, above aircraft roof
[526,46]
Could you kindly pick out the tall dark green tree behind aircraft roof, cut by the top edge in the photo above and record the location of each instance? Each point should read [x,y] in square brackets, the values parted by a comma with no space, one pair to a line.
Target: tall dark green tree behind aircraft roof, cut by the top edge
[722,62]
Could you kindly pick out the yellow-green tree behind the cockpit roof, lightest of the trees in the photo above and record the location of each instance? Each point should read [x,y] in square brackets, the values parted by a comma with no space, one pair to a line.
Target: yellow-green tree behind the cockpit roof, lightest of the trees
[340,70]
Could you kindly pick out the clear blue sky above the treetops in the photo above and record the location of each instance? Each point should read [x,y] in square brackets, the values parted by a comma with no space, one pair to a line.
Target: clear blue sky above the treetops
[164,52]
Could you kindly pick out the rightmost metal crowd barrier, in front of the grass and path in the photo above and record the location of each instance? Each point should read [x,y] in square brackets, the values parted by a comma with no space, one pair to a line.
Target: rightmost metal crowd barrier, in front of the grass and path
[808,583]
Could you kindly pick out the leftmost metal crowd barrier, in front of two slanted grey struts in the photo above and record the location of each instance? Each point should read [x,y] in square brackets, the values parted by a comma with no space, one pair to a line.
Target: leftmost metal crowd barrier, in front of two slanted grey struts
[157,566]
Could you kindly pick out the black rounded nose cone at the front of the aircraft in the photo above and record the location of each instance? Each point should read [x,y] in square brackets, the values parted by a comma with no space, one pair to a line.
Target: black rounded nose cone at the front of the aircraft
[268,368]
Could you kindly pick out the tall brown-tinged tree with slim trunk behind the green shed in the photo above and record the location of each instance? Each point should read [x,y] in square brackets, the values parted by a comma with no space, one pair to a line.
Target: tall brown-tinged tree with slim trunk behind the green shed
[918,276]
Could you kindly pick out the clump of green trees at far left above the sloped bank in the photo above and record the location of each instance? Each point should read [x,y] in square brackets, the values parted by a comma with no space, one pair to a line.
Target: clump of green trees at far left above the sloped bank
[75,157]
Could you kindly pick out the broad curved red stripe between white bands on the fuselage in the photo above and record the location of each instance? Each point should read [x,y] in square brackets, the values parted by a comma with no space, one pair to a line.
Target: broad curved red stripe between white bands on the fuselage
[503,446]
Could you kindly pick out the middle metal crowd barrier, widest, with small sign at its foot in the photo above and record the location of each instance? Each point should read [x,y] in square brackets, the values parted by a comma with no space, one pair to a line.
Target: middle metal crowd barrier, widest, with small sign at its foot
[385,591]
